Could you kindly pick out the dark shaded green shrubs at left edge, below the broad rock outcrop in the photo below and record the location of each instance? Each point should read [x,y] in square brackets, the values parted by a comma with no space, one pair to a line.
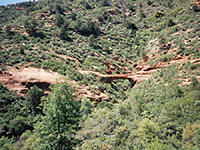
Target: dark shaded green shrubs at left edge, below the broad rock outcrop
[14,119]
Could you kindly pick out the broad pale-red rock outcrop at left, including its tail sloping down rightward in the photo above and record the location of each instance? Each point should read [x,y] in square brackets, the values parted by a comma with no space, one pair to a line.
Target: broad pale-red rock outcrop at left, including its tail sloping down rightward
[20,81]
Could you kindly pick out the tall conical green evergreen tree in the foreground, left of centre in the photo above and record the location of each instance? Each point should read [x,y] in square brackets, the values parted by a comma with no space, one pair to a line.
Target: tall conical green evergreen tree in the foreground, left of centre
[58,126]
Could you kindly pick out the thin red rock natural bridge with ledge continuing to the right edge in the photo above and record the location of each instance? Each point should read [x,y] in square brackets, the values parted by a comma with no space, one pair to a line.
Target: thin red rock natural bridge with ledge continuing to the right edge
[144,70]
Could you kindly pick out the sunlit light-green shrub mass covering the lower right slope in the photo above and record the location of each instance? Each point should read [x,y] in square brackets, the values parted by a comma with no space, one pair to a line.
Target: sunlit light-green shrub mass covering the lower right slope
[152,117]
